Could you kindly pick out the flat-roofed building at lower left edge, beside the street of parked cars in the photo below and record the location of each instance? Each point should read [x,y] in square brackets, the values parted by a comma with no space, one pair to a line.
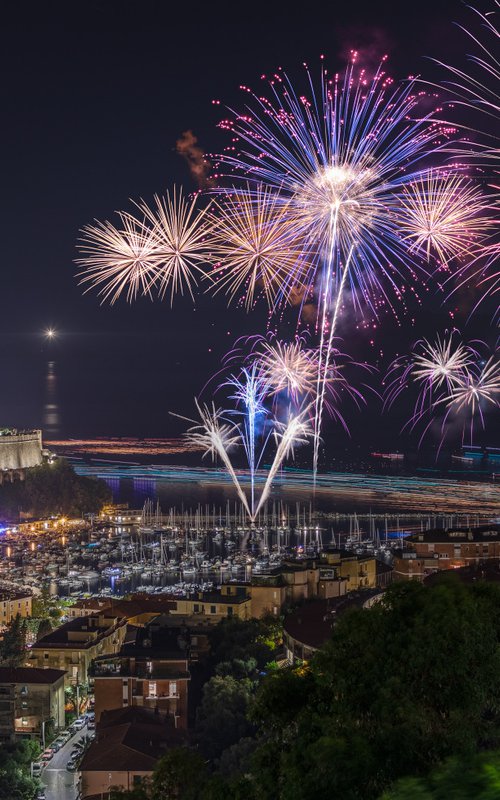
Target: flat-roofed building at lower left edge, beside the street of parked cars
[29,699]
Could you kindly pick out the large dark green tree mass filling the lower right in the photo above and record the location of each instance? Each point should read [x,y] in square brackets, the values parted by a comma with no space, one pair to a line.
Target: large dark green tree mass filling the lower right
[397,689]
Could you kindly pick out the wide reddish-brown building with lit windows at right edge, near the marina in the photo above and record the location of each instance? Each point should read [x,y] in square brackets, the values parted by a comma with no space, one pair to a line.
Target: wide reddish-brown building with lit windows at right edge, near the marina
[432,551]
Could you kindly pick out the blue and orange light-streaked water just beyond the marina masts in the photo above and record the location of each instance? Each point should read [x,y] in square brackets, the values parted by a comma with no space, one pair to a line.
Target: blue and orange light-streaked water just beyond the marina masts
[336,491]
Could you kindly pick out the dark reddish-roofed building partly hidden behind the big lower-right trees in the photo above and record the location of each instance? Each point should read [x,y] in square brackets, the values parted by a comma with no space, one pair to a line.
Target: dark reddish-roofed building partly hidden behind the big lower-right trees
[309,627]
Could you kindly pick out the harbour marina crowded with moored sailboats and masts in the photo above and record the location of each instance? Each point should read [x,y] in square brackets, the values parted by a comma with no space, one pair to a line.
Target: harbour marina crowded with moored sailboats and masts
[178,552]
